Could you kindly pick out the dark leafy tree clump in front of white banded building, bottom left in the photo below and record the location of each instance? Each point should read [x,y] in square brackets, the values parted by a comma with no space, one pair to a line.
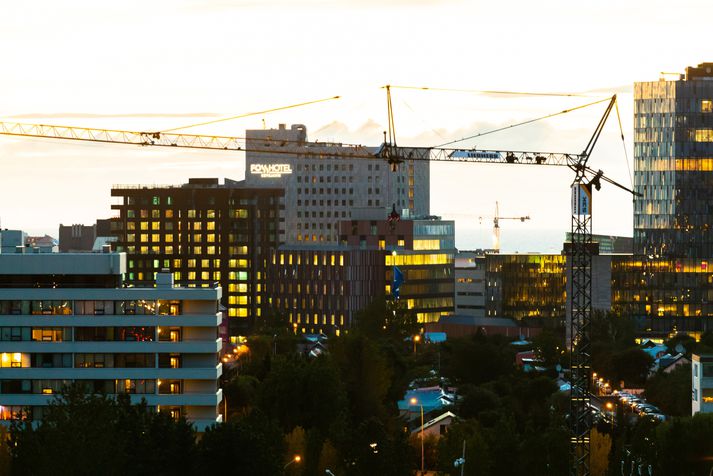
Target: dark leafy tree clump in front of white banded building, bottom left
[95,434]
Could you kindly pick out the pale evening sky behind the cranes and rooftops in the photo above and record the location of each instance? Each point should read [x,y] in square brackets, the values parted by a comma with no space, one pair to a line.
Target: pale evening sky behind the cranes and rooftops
[153,65]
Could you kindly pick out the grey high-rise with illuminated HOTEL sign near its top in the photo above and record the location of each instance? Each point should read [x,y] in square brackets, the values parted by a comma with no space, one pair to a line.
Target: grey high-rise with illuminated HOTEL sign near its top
[324,184]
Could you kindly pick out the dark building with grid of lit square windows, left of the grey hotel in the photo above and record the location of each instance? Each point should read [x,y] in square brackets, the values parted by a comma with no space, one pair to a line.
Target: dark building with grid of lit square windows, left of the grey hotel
[203,232]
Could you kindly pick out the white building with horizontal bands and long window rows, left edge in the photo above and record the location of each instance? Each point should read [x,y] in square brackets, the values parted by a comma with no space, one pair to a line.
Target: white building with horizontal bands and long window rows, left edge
[67,318]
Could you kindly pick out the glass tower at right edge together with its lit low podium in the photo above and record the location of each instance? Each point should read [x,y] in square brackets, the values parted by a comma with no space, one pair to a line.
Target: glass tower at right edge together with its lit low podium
[667,281]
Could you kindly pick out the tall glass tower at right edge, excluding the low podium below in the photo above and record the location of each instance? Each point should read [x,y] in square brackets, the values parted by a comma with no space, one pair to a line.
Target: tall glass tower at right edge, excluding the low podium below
[673,165]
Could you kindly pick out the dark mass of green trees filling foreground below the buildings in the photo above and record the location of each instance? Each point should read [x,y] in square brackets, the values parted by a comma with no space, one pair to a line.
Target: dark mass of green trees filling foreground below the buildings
[339,412]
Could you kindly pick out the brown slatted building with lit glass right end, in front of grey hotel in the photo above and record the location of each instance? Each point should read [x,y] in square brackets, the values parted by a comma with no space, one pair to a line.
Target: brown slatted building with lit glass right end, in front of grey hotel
[322,288]
